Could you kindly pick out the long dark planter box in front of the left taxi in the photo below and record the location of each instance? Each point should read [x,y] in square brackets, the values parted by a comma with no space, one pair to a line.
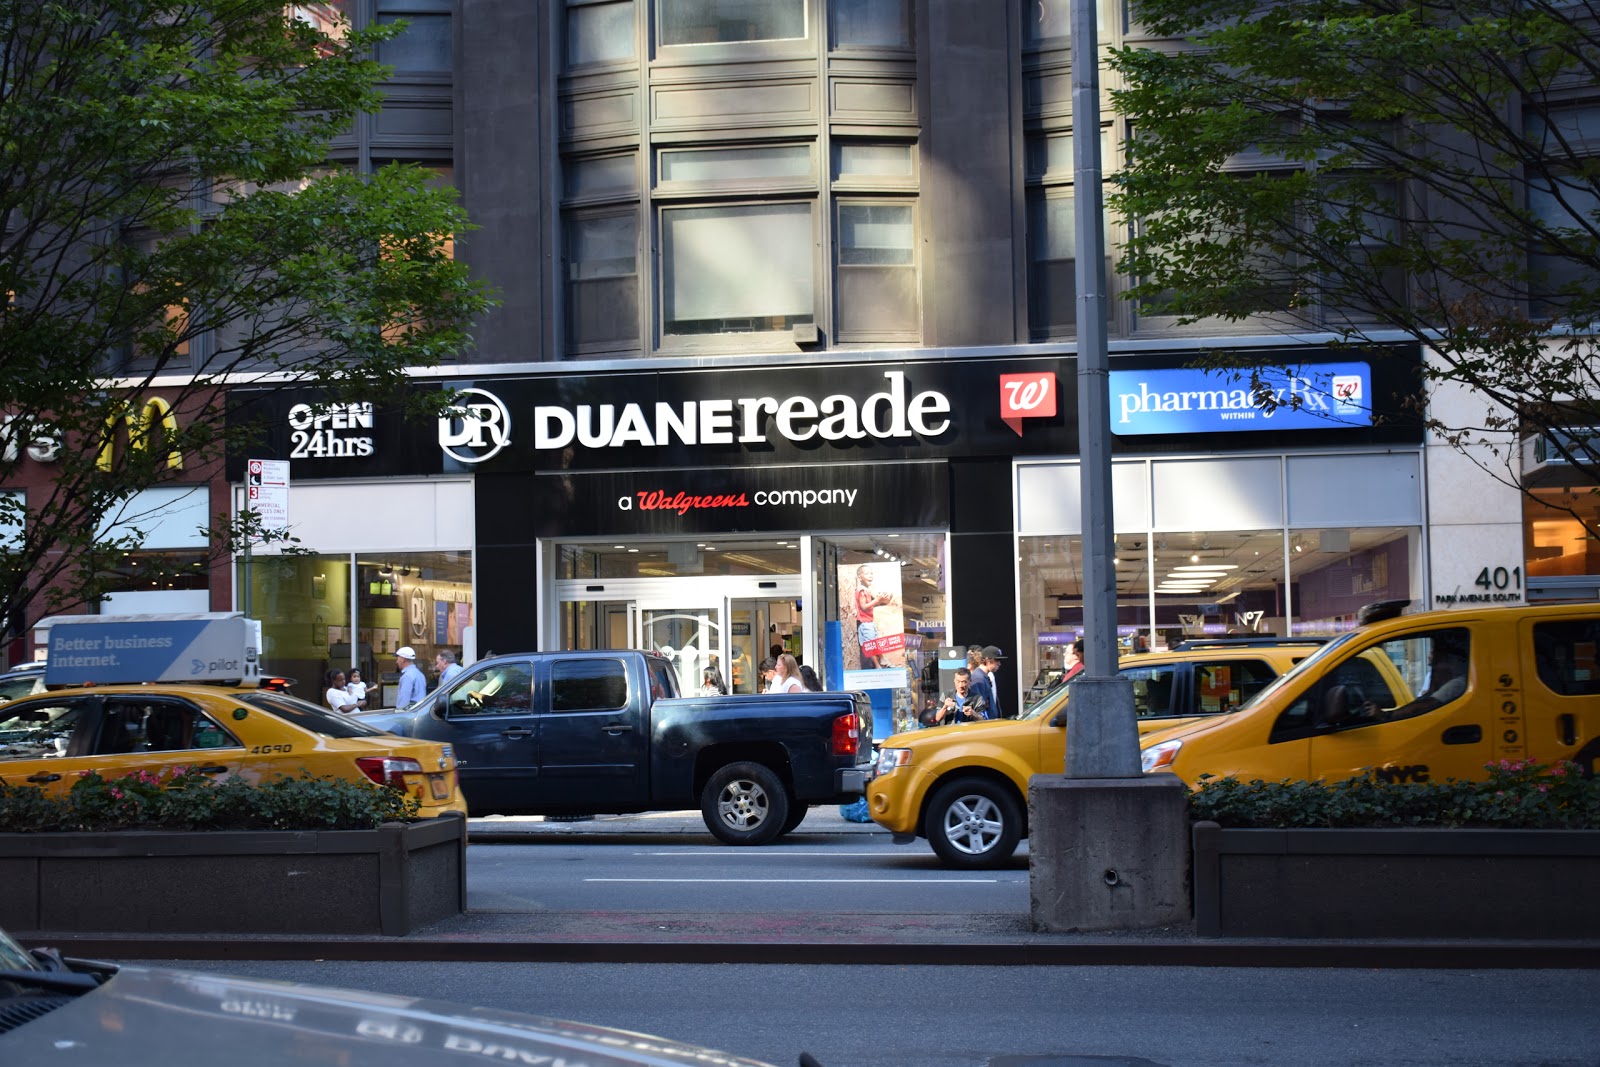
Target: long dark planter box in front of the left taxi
[391,881]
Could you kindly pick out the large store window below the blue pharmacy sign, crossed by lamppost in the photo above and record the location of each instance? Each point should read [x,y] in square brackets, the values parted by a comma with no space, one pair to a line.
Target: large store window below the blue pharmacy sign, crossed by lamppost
[1314,540]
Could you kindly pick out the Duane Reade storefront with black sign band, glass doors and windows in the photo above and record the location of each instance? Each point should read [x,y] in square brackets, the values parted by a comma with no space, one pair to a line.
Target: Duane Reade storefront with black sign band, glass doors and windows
[858,514]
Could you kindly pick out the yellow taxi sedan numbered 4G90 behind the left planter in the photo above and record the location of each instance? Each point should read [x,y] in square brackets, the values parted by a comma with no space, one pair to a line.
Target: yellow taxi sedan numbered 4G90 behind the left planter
[225,732]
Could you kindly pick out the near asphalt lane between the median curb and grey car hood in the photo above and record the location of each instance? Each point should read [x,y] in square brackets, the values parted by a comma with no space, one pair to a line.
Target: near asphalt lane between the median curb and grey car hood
[1094,1017]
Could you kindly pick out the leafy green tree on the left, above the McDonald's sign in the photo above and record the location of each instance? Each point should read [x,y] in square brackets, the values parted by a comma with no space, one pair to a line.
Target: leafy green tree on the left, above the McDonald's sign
[170,223]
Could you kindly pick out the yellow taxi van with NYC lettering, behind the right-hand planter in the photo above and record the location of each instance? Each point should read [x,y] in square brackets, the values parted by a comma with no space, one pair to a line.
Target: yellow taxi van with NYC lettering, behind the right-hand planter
[1414,698]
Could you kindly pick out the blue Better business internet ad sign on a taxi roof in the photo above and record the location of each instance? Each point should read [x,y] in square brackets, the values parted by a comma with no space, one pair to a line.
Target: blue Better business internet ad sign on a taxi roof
[150,649]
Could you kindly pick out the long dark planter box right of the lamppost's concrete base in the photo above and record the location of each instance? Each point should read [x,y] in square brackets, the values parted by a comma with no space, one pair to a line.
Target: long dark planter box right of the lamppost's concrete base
[1396,884]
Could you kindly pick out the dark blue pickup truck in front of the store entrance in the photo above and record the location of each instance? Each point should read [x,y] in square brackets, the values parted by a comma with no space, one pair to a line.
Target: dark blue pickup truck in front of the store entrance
[607,733]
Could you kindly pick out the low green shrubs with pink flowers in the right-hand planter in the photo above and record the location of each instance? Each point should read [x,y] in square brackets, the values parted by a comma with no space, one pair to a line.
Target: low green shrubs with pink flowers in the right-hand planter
[1518,794]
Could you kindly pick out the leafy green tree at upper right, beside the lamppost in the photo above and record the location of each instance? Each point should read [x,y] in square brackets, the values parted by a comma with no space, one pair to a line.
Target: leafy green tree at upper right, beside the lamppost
[1364,166]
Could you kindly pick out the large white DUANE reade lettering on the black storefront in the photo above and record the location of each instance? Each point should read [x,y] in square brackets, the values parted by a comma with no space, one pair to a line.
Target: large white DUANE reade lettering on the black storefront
[746,420]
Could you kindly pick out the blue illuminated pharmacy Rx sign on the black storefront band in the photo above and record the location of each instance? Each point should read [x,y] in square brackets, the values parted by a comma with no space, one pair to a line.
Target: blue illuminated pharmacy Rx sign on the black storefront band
[1191,401]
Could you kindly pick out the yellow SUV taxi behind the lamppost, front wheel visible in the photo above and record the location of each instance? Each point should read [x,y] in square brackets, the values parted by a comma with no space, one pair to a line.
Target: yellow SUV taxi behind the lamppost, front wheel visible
[966,786]
